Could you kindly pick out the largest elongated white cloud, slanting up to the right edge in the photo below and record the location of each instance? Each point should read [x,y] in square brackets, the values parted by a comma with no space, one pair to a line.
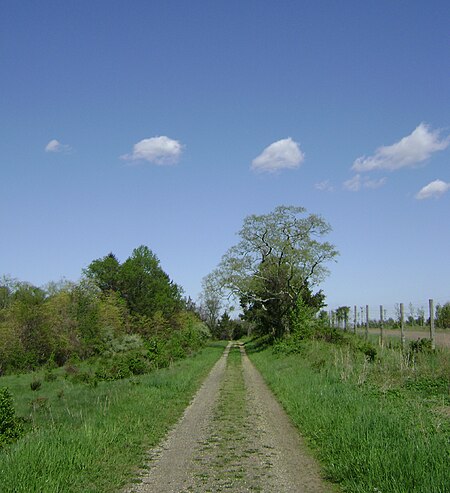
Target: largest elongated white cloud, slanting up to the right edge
[412,149]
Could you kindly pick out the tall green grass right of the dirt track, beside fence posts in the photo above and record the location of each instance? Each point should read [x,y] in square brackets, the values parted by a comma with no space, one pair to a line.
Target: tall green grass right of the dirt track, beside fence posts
[376,427]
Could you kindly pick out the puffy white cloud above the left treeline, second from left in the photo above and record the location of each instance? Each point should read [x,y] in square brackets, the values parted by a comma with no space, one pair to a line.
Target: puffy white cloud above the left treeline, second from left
[157,150]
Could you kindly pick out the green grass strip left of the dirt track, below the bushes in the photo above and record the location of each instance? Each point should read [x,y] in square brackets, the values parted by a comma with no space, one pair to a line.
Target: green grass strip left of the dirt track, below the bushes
[93,439]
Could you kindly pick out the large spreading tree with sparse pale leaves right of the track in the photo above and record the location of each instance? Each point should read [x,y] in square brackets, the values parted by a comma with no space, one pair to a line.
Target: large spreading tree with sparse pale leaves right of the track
[279,258]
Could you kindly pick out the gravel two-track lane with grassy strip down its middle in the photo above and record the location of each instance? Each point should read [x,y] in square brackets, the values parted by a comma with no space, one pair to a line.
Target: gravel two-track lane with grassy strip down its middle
[233,437]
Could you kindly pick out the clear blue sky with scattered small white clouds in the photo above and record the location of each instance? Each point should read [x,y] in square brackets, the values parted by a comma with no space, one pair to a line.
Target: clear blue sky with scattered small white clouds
[165,123]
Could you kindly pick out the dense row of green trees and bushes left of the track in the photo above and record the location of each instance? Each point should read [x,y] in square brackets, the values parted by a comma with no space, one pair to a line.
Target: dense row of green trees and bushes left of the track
[115,307]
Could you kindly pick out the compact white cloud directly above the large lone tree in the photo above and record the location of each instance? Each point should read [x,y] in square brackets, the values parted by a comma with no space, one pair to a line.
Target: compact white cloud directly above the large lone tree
[283,154]
